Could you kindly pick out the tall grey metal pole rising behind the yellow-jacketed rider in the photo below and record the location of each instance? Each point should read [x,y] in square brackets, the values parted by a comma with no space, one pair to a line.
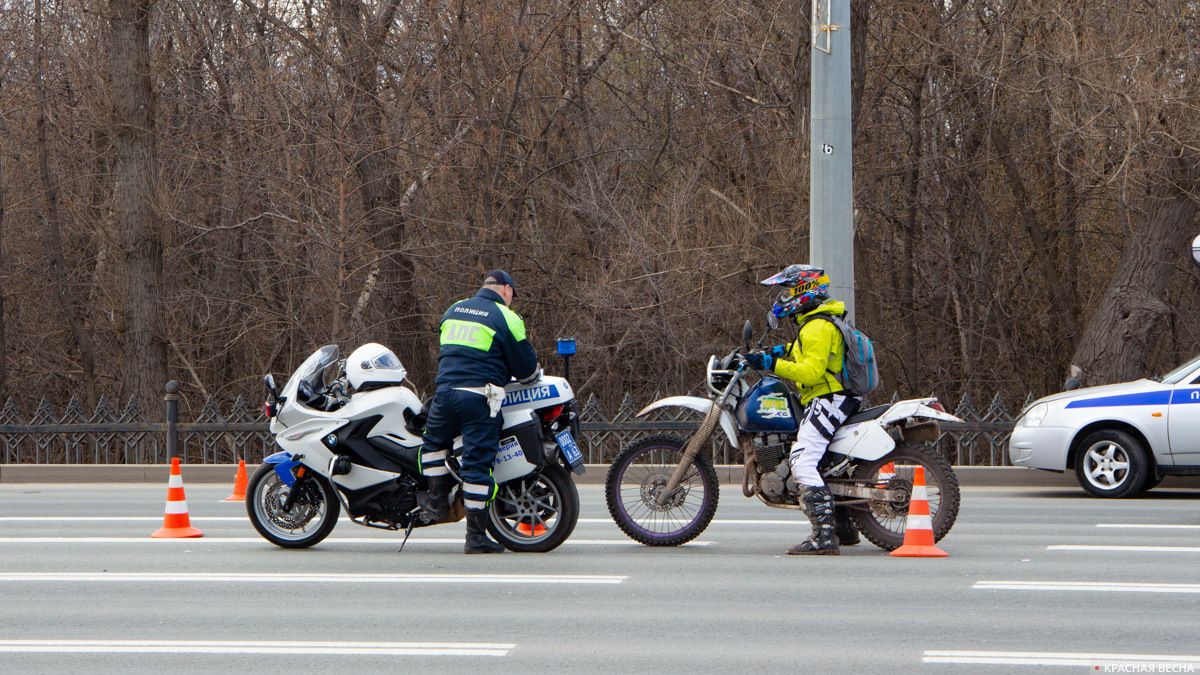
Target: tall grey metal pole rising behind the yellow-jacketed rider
[831,162]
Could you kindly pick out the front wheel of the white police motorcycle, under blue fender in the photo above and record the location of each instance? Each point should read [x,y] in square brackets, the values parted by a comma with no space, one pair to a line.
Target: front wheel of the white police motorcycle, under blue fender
[311,518]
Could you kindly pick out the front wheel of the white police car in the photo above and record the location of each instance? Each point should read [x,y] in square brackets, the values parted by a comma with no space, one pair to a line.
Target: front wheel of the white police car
[1112,464]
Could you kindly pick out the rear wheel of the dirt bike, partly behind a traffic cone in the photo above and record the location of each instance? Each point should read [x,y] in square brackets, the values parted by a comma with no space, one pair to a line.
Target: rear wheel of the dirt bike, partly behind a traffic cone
[884,523]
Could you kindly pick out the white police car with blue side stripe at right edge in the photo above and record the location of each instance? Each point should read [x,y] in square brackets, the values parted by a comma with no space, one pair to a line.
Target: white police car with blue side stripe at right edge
[1121,439]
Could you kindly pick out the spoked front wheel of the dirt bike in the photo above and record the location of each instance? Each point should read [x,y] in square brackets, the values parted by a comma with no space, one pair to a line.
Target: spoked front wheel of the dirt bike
[638,477]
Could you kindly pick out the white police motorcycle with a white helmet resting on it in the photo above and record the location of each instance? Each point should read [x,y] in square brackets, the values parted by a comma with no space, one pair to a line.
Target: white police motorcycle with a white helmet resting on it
[359,452]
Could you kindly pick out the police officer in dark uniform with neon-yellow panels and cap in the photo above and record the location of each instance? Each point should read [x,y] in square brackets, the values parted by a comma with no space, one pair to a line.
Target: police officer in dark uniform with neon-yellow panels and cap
[483,348]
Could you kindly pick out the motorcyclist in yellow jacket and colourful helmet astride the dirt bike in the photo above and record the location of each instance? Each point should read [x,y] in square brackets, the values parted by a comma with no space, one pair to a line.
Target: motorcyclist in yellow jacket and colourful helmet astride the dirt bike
[813,362]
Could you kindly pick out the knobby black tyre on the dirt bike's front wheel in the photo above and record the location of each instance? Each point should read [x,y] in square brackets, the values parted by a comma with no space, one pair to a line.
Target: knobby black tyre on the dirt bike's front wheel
[623,521]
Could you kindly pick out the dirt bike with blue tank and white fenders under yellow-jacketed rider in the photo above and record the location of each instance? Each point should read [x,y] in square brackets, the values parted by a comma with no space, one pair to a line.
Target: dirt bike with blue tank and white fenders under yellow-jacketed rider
[663,492]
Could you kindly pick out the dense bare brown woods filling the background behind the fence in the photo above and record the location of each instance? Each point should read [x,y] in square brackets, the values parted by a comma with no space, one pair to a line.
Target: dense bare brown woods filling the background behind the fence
[344,170]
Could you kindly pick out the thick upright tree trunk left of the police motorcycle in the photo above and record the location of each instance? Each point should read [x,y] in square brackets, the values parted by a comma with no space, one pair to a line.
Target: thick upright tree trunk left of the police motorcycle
[135,200]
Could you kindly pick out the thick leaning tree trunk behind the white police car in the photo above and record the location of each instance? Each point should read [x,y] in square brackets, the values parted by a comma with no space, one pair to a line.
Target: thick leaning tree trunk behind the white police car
[1118,339]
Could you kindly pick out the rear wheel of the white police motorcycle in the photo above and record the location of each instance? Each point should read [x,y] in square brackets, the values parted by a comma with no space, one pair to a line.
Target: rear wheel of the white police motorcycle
[537,513]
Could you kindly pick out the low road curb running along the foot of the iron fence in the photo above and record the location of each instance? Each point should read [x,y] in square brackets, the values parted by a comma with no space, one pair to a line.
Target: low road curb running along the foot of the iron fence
[212,474]
